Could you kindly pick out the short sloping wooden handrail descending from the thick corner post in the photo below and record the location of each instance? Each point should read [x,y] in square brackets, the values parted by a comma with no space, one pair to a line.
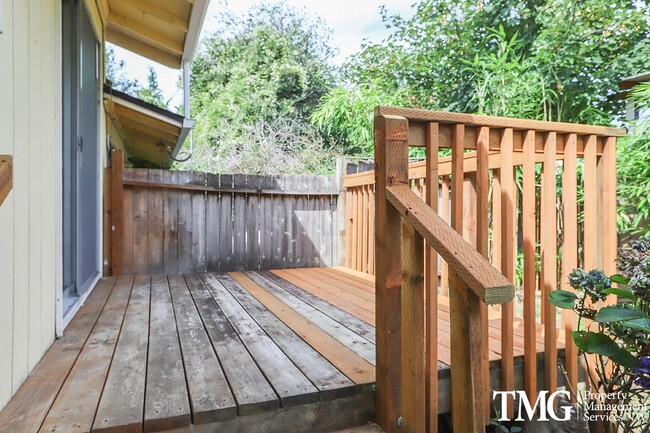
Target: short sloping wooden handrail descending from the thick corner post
[468,264]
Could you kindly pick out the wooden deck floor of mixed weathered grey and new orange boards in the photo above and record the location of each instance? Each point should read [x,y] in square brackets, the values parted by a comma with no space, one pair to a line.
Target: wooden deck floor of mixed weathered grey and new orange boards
[237,352]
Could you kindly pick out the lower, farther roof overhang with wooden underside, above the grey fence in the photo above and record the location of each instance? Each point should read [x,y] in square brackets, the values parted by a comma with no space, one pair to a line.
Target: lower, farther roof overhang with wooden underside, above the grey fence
[150,133]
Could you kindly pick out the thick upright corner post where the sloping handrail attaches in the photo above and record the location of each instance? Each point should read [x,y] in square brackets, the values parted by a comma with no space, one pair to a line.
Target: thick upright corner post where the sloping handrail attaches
[391,159]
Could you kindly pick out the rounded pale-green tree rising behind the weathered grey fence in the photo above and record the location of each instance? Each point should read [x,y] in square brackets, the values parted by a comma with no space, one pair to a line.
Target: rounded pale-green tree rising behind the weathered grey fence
[270,67]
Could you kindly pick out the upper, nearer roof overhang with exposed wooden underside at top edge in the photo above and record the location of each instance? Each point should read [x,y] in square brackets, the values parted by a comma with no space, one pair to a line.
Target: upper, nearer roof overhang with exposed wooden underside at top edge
[165,31]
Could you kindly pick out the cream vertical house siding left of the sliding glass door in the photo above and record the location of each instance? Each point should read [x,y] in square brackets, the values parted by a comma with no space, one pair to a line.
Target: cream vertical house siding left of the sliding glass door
[30,218]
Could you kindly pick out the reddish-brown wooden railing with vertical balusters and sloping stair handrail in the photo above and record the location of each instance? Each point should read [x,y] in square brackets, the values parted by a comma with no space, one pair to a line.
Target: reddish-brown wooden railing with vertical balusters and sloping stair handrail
[475,192]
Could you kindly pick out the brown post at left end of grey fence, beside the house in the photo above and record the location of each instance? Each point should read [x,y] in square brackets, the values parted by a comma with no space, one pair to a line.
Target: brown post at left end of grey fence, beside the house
[117,212]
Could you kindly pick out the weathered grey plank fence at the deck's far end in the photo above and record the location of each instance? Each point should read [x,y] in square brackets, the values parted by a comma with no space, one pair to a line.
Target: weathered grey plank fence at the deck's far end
[170,222]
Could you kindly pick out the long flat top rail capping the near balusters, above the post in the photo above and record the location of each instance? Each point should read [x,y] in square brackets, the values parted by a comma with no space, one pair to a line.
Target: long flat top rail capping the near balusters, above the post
[418,115]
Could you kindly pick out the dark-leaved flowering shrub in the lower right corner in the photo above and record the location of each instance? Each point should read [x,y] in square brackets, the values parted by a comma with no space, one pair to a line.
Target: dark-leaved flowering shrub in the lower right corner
[616,334]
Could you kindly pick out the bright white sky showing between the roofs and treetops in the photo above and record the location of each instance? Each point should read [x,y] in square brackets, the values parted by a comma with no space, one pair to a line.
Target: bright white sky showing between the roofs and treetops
[351,21]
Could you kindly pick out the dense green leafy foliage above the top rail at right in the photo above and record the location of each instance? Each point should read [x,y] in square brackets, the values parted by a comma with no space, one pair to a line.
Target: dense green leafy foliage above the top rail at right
[543,59]
